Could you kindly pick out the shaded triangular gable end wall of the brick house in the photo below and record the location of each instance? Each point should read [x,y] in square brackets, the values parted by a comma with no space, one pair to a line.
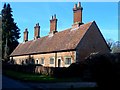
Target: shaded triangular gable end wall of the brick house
[92,42]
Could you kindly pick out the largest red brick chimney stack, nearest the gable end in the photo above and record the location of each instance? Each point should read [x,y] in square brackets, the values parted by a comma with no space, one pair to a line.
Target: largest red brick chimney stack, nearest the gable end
[77,15]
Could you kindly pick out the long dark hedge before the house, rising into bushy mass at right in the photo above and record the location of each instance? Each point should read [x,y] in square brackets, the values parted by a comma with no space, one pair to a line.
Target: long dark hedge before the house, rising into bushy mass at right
[101,68]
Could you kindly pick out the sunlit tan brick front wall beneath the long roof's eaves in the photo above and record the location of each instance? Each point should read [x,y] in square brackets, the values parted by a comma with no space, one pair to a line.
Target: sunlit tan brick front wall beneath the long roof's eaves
[61,55]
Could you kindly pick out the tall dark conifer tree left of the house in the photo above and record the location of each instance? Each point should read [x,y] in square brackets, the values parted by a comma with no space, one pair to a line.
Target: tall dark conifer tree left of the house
[10,32]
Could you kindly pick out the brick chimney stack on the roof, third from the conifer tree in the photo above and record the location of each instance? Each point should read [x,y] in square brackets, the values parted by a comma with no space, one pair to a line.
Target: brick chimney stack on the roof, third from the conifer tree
[53,24]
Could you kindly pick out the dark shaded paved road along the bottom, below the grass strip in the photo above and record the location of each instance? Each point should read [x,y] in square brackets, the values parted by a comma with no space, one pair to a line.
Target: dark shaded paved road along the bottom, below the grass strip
[9,83]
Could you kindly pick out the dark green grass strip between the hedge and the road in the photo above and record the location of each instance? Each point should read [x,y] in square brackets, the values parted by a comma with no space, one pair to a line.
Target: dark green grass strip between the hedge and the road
[36,77]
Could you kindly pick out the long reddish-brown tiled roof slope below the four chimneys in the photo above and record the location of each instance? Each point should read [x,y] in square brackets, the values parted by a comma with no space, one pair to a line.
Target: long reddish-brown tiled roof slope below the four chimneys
[64,40]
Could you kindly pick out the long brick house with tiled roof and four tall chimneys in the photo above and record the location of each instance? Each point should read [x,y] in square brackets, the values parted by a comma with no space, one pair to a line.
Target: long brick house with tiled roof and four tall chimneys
[60,49]
